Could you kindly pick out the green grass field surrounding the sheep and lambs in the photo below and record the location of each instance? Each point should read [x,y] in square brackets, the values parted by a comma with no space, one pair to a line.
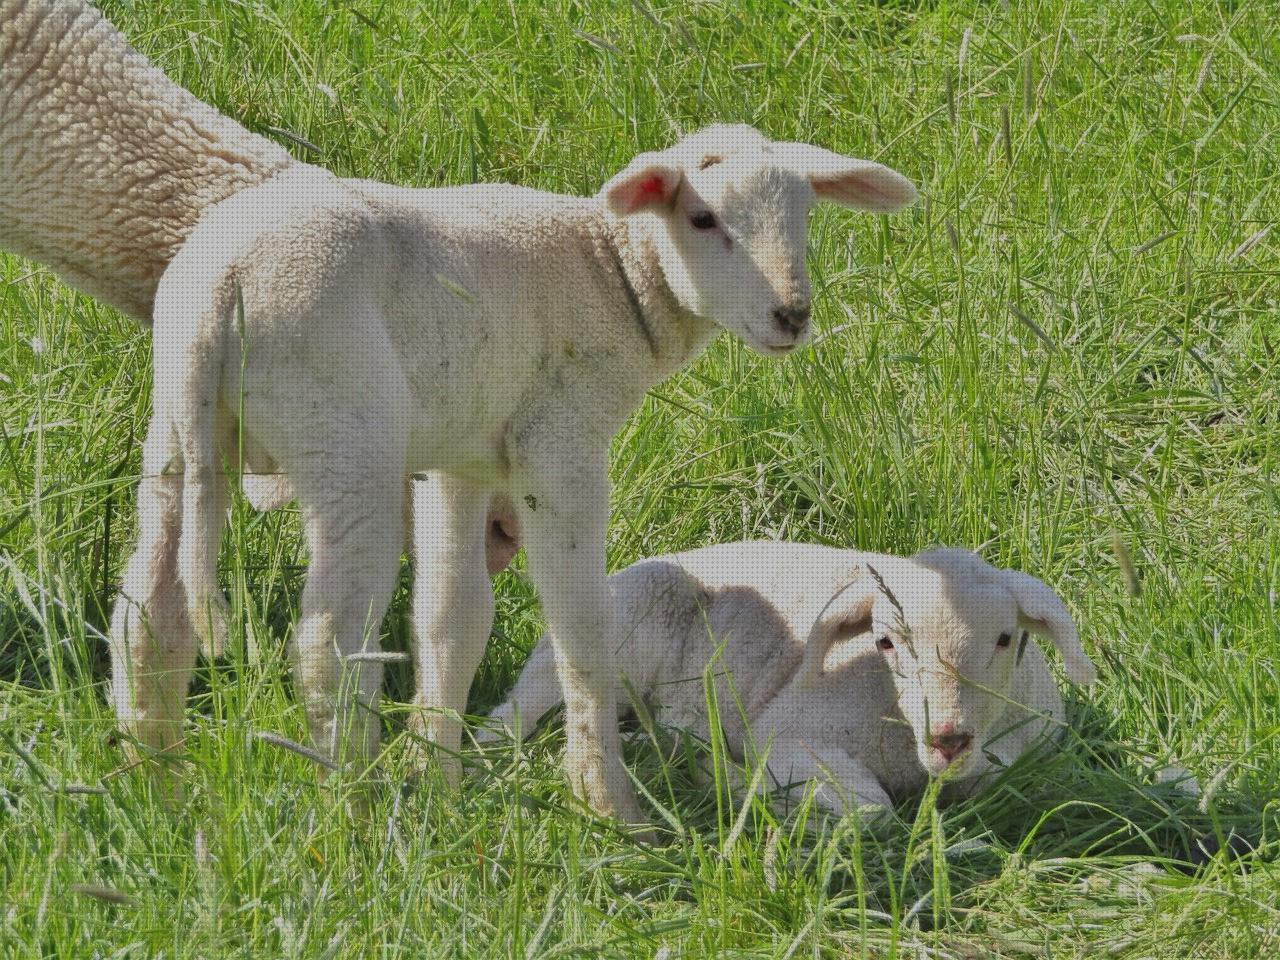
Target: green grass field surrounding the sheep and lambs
[1066,356]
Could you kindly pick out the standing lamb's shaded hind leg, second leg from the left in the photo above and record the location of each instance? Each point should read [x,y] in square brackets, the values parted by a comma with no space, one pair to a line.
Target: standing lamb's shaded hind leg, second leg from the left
[354,522]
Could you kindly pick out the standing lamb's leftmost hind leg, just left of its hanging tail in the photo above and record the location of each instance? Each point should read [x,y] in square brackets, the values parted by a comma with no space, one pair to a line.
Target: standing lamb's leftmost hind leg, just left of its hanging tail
[153,642]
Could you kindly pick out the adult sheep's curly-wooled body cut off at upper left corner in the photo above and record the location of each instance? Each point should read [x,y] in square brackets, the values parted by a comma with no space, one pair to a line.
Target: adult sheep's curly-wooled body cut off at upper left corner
[106,164]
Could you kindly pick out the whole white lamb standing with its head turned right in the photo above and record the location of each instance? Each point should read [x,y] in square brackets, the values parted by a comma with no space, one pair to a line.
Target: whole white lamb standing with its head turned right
[364,332]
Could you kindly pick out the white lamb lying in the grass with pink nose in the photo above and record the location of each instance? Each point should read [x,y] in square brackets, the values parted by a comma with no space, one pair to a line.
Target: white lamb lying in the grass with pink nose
[866,673]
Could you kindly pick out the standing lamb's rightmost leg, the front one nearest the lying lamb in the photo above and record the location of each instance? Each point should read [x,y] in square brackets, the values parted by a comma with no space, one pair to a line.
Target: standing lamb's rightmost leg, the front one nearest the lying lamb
[564,514]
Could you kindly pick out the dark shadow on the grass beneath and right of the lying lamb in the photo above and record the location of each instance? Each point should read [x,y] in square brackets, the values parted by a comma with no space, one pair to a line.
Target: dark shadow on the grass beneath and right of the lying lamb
[1087,807]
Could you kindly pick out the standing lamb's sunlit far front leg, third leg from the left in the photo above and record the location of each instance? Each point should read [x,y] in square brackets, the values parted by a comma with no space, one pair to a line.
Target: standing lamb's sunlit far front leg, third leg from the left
[452,607]
